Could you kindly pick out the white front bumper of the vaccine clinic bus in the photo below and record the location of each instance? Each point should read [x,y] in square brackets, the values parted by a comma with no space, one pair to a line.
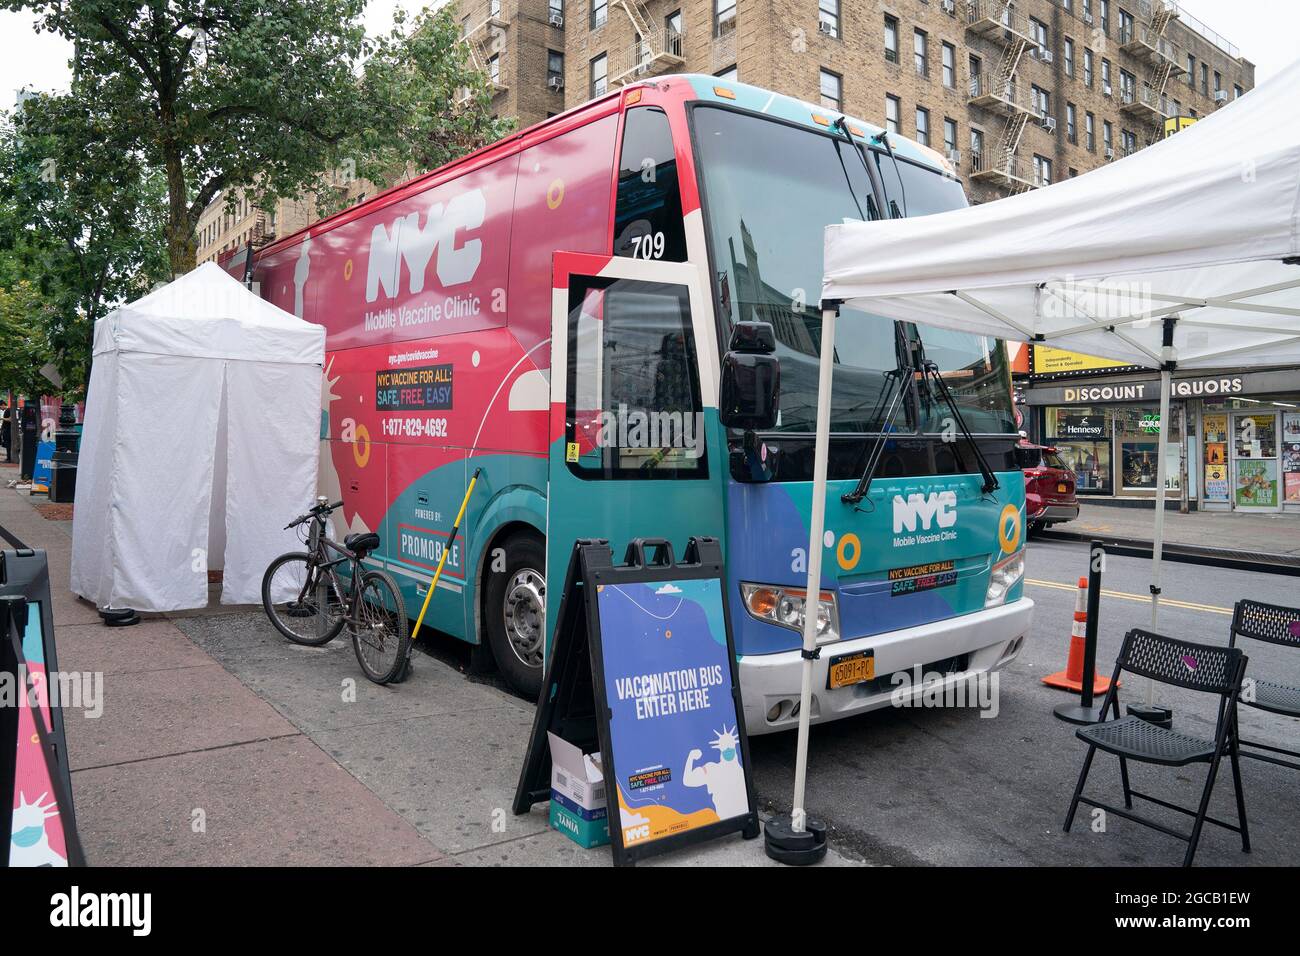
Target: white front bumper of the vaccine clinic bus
[991,639]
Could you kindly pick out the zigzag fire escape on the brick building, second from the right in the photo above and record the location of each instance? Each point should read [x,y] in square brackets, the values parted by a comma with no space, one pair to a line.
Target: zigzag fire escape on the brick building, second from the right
[999,93]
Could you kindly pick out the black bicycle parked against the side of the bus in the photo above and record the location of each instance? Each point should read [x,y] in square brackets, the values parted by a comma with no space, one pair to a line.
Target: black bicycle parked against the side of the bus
[310,600]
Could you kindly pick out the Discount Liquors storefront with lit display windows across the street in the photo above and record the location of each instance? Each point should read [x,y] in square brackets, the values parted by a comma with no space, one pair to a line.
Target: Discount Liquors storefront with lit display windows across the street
[1234,439]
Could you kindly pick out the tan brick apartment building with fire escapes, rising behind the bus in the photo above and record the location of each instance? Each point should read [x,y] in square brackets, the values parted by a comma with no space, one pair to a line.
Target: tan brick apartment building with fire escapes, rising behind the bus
[1019,94]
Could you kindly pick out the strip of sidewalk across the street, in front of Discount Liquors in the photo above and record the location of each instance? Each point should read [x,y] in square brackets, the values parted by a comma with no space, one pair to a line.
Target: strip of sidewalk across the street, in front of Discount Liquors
[1259,535]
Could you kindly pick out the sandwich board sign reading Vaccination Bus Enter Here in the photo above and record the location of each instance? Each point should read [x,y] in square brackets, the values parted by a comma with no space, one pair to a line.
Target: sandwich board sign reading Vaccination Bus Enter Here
[643,668]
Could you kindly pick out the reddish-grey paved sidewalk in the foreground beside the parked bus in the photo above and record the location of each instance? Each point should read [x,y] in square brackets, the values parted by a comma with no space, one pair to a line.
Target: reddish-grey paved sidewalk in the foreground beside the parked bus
[210,717]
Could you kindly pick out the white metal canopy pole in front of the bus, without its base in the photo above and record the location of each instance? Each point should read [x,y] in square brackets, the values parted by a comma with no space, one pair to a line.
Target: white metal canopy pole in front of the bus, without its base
[817,529]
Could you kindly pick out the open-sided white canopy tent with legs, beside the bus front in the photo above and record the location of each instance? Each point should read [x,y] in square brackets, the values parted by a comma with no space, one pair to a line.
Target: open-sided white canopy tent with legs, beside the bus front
[1184,256]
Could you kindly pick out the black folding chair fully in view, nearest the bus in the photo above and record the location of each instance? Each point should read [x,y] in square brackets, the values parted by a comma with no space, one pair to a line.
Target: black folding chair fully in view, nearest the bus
[1181,664]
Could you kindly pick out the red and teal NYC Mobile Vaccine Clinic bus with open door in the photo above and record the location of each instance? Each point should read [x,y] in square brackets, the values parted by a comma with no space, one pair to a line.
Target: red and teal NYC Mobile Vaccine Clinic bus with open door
[565,310]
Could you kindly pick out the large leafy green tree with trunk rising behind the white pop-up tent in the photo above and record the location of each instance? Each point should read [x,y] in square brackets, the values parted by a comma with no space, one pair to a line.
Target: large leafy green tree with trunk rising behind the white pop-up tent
[237,96]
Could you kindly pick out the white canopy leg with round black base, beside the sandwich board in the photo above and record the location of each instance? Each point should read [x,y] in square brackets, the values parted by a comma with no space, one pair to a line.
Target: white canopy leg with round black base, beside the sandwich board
[801,841]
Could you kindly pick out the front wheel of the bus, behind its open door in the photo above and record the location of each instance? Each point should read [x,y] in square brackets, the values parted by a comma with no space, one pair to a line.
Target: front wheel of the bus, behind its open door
[515,613]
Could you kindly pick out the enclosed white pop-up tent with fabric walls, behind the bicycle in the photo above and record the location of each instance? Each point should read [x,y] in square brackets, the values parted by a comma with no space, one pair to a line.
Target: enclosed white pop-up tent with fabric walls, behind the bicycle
[201,443]
